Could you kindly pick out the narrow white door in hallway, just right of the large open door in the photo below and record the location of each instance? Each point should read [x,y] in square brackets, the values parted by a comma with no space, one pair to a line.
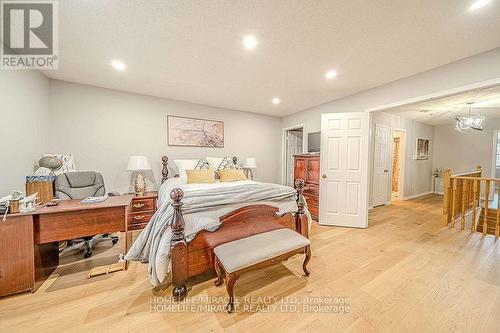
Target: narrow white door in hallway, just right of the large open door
[381,160]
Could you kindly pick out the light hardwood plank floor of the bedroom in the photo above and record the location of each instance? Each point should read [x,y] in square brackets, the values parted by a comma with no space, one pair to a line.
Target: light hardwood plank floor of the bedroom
[404,273]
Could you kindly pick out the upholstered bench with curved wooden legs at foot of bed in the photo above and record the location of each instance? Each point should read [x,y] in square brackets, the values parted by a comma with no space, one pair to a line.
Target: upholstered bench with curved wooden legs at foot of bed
[257,251]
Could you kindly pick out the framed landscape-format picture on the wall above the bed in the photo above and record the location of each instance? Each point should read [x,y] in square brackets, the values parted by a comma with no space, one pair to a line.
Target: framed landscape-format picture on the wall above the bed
[182,131]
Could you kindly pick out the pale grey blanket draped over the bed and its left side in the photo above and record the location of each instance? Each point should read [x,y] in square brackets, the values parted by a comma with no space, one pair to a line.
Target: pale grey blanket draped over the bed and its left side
[202,208]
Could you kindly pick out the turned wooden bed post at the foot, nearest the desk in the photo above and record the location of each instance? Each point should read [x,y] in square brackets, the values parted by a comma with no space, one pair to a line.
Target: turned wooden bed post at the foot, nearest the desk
[178,247]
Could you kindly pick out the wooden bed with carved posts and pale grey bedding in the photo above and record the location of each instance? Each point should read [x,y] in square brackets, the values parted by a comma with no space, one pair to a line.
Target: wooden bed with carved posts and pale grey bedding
[192,219]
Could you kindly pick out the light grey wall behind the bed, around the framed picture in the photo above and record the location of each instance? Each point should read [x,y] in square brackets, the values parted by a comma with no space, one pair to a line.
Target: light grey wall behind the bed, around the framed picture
[103,127]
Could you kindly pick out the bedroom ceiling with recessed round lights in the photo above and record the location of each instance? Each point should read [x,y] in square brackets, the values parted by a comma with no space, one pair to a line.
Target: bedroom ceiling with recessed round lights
[192,50]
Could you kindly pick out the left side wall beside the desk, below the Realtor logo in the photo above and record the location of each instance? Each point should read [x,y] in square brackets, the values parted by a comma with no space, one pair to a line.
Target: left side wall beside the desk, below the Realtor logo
[24,111]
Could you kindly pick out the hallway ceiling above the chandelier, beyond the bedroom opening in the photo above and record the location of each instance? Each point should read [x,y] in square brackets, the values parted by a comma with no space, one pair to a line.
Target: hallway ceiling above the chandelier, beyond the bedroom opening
[442,111]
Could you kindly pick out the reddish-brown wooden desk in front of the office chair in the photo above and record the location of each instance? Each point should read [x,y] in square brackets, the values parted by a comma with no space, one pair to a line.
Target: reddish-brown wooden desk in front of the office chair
[29,243]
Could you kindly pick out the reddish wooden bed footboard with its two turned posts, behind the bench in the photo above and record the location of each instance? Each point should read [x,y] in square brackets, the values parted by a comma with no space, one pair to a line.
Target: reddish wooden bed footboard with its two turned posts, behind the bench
[196,257]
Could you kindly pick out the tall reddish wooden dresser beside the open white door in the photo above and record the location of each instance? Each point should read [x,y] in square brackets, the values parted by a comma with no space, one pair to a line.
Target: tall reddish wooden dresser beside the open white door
[307,168]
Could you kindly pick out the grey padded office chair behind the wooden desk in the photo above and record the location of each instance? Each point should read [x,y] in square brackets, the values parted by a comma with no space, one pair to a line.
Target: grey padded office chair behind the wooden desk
[80,185]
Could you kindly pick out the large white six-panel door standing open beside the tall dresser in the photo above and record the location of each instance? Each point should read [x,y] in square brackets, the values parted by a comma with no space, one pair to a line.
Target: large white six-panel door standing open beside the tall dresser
[343,197]
